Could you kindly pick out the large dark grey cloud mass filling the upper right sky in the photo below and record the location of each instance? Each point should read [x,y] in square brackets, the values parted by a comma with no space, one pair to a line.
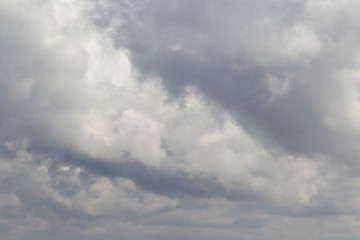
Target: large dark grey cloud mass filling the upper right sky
[227,49]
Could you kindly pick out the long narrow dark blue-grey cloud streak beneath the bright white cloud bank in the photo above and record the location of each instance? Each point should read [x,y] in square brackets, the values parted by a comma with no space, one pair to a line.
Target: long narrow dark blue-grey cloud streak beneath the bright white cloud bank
[172,184]
